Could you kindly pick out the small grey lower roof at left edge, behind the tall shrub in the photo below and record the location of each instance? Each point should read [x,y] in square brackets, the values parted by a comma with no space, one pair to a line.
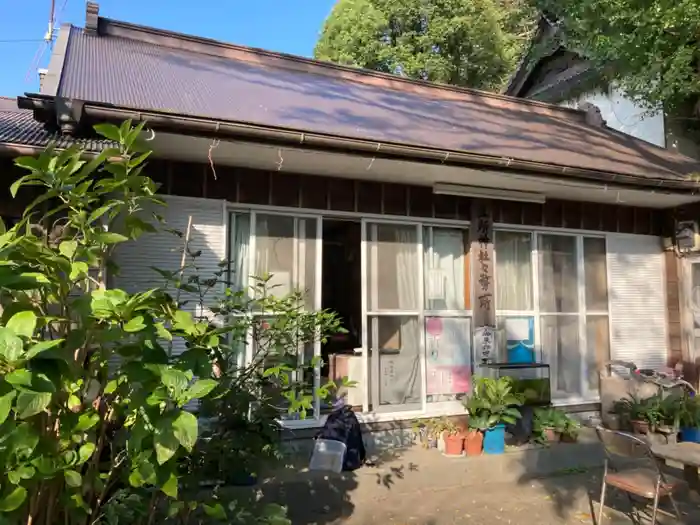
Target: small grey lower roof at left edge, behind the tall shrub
[18,127]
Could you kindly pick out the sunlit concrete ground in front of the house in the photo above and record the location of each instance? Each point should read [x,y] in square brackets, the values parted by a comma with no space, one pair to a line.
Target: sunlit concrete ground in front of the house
[558,485]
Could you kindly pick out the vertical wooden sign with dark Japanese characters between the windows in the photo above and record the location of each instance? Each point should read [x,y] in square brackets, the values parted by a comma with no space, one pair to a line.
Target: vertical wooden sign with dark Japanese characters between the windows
[482,263]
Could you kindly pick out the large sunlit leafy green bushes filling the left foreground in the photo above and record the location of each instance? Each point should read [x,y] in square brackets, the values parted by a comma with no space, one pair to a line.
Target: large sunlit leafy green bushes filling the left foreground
[95,409]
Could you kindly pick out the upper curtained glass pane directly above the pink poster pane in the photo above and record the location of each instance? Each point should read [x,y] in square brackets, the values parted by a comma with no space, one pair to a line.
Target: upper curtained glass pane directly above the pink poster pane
[445,272]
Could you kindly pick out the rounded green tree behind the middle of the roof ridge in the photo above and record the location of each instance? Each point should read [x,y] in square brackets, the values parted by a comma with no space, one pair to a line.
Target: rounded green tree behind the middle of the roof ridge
[471,43]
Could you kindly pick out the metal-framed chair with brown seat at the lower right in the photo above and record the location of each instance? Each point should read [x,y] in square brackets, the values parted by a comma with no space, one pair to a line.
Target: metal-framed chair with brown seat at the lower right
[631,467]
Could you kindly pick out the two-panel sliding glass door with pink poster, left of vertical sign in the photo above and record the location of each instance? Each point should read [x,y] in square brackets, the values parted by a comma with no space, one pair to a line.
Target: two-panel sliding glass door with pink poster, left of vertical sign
[417,302]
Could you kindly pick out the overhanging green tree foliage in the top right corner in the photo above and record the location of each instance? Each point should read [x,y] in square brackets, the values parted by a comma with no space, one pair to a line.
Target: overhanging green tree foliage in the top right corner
[648,48]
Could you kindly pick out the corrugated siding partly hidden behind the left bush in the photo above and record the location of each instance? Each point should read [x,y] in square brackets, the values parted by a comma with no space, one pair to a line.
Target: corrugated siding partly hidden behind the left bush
[164,250]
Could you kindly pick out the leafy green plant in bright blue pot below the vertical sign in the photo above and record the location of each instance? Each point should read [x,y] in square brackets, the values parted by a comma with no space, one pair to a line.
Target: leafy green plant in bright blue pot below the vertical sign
[495,401]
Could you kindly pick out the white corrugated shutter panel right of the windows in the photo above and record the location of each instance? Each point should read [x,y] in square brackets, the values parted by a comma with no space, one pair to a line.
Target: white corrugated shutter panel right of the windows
[637,300]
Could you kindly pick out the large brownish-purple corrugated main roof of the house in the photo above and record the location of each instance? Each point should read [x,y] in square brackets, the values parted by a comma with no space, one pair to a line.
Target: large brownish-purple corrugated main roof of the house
[151,75]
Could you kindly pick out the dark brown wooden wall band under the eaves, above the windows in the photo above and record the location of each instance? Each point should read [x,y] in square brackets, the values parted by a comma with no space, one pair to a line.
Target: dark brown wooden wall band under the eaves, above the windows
[247,186]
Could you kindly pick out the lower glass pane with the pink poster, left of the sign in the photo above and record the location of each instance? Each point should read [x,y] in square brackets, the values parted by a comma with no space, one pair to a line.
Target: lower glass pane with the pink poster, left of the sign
[449,359]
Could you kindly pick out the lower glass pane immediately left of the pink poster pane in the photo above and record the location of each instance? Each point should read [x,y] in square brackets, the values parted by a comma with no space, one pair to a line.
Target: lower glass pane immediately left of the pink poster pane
[396,372]
